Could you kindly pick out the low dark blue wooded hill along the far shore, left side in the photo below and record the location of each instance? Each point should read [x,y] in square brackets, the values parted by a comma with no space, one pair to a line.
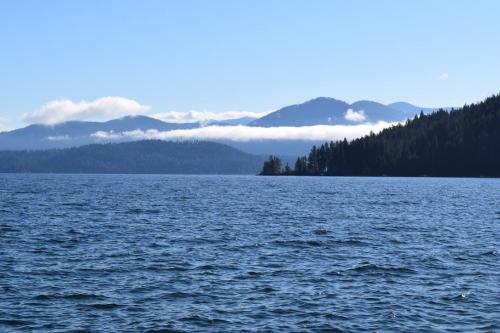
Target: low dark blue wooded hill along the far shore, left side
[134,157]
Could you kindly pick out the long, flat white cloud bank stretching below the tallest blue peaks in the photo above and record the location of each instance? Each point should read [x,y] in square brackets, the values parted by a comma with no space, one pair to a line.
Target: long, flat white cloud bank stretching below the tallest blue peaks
[249,133]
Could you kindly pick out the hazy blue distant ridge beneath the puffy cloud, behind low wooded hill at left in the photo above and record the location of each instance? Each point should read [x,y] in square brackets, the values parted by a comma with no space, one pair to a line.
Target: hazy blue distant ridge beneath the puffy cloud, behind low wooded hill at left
[77,133]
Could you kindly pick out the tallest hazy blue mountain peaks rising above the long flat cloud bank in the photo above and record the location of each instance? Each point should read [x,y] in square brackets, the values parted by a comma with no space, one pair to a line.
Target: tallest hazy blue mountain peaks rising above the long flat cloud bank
[330,111]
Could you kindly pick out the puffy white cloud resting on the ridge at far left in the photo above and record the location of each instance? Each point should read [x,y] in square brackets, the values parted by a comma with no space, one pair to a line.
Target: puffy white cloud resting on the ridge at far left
[104,108]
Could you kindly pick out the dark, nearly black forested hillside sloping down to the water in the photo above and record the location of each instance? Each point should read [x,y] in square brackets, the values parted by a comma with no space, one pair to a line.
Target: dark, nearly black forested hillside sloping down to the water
[461,143]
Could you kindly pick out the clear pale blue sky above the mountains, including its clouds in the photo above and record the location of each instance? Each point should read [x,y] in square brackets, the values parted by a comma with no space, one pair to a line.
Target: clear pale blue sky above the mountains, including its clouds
[102,59]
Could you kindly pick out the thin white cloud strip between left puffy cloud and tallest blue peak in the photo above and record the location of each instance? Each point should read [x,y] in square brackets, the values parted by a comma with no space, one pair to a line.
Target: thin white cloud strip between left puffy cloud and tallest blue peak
[195,116]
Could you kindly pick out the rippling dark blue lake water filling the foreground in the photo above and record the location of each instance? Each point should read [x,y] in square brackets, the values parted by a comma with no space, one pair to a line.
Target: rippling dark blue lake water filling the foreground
[124,253]
